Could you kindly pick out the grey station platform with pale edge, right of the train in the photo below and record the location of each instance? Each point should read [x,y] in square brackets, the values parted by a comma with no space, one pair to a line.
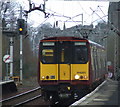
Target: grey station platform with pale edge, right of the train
[106,94]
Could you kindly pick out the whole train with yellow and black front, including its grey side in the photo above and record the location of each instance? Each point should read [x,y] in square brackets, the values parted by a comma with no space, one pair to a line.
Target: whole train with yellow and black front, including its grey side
[68,66]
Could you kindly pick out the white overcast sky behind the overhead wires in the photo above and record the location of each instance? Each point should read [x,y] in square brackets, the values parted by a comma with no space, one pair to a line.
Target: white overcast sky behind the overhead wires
[69,12]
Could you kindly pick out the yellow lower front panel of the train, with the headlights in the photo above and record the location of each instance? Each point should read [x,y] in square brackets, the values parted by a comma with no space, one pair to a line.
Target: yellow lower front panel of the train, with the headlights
[64,71]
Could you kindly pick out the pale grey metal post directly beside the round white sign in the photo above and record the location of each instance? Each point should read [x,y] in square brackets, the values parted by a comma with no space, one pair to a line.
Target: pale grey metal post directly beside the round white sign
[11,56]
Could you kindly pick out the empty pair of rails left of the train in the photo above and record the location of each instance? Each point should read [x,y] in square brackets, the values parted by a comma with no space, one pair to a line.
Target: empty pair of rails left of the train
[23,98]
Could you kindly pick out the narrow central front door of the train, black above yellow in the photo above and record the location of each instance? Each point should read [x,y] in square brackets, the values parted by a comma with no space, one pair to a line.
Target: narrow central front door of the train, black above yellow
[65,55]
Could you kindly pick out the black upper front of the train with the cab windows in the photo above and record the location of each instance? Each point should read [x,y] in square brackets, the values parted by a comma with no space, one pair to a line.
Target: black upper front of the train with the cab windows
[65,52]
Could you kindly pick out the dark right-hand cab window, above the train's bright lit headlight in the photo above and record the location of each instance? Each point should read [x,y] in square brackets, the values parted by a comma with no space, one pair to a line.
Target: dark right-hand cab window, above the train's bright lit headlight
[81,55]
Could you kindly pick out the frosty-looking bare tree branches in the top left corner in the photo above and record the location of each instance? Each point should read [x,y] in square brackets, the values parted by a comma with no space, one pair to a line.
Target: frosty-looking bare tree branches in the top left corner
[10,13]
